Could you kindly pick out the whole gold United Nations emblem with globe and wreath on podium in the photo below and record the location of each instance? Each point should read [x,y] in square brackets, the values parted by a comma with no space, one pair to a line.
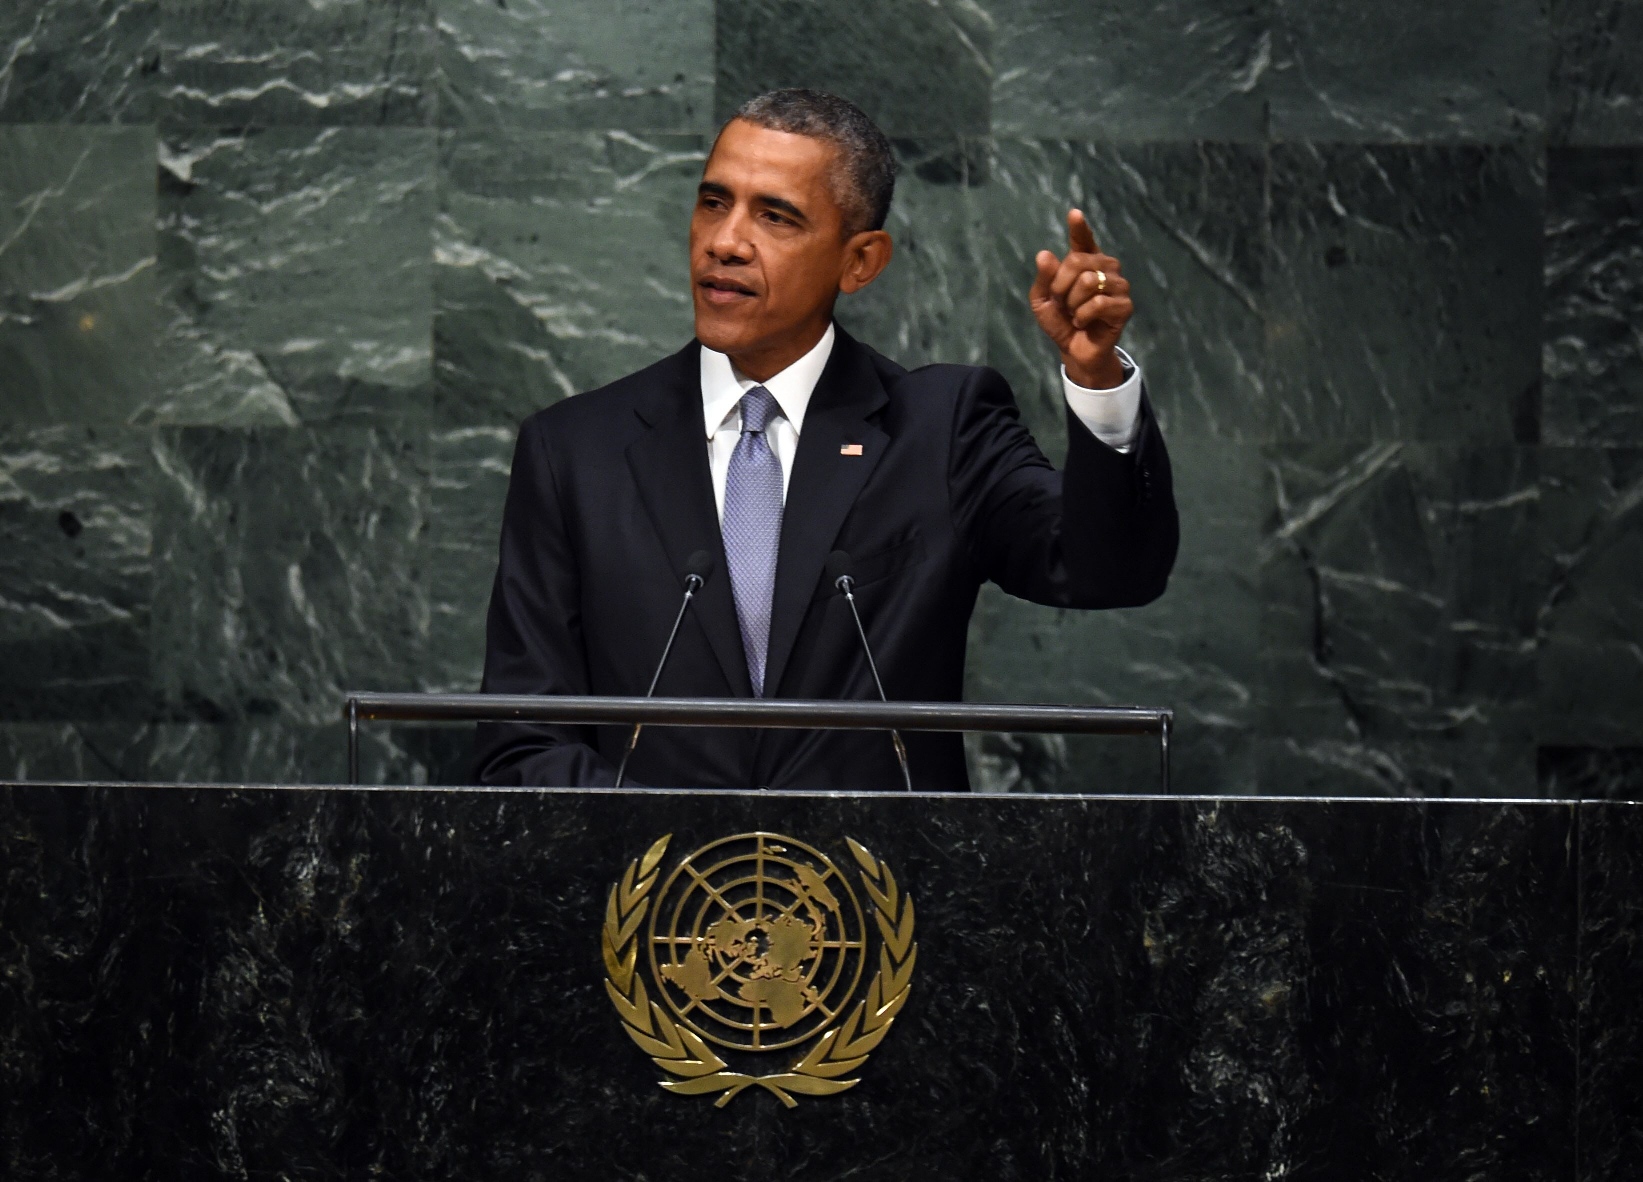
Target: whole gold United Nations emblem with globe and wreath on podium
[758,944]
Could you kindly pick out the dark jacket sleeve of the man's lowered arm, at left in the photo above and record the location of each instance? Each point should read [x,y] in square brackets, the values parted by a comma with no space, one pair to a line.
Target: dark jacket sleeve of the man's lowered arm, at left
[533,635]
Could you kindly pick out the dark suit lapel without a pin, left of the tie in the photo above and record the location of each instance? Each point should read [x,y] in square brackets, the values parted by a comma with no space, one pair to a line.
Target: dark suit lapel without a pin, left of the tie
[671,468]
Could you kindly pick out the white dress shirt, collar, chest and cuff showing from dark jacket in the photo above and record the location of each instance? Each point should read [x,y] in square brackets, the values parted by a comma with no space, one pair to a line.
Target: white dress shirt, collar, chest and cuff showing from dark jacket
[1111,415]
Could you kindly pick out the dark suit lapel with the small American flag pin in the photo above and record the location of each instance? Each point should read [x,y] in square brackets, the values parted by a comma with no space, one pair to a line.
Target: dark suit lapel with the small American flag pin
[824,487]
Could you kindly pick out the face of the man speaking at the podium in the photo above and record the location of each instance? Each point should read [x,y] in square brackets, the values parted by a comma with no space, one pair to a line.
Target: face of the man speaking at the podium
[768,247]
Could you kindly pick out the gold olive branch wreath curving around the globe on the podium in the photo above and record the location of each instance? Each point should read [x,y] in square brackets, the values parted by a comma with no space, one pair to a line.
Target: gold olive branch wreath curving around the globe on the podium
[684,1055]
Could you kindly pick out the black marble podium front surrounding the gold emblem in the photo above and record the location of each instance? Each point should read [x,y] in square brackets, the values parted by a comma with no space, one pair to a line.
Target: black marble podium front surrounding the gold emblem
[407,984]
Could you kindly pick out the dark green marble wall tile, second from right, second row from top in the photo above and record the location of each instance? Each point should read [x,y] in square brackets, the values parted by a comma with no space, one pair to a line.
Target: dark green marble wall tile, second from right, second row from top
[1404,293]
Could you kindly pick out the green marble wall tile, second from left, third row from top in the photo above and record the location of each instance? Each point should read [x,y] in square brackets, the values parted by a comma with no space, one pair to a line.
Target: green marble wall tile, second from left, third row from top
[272,604]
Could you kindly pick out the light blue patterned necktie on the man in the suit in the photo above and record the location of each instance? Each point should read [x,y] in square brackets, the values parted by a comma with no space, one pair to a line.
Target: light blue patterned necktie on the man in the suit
[753,529]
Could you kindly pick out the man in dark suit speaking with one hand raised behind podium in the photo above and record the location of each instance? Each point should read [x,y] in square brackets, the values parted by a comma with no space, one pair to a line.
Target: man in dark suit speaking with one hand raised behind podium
[775,440]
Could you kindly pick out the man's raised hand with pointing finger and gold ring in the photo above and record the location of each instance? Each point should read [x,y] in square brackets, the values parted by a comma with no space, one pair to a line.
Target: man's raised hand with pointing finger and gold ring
[1082,303]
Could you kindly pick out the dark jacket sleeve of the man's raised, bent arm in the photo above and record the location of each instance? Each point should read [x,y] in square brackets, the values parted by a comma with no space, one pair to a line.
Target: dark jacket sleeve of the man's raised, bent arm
[1103,533]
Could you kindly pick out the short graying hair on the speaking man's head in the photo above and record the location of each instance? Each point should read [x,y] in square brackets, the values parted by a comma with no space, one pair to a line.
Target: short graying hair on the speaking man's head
[865,154]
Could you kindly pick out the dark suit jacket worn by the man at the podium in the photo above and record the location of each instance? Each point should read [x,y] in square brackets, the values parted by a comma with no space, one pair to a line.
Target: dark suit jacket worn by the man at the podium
[612,492]
